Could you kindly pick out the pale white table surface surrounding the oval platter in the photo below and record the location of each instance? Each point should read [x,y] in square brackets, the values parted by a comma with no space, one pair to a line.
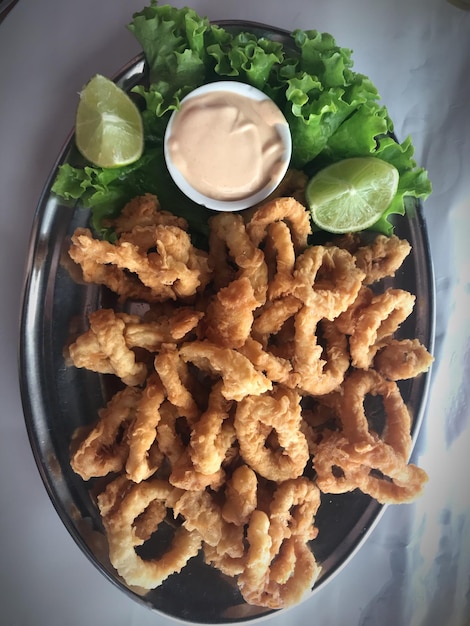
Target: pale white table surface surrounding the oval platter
[414,569]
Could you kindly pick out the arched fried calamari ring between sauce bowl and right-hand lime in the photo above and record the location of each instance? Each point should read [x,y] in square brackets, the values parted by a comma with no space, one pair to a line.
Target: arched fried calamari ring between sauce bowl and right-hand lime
[288,210]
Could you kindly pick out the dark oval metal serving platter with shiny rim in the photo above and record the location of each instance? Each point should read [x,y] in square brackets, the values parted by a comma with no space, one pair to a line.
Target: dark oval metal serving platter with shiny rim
[57,399]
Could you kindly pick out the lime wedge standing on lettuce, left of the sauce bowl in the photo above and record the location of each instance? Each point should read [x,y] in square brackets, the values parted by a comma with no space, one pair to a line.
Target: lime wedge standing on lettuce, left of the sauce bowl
[108,125]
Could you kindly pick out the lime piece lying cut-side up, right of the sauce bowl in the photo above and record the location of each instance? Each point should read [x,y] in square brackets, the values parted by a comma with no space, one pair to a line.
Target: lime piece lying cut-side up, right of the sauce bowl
[352,194]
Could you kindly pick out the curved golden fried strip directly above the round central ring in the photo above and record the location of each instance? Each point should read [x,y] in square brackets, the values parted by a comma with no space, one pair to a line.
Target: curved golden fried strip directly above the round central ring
[239,376]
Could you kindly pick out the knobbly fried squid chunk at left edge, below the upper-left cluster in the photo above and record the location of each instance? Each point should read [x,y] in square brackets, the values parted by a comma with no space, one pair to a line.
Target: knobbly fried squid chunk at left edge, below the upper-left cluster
[103,348]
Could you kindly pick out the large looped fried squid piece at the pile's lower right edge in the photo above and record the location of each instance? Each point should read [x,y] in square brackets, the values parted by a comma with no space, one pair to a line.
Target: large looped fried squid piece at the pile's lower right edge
[358,456]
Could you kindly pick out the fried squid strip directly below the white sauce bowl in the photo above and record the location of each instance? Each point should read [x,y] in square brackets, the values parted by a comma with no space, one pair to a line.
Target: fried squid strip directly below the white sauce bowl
[230,245]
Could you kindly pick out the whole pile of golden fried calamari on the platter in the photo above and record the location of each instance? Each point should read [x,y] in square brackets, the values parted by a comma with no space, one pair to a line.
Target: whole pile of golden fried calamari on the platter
[242,392]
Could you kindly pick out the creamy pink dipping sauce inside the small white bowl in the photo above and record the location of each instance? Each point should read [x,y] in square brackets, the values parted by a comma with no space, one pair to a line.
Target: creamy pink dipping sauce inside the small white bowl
[226,145]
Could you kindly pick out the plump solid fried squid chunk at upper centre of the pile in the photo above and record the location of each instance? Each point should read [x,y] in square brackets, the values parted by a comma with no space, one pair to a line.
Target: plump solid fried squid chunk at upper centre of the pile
[229,314]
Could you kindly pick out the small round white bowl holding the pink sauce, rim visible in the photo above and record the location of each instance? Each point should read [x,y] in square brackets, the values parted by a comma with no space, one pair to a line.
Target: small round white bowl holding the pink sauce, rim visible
[248,91]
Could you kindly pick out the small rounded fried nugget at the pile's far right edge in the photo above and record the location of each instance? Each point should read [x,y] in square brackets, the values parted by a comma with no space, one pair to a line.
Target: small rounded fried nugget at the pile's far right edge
[400,360]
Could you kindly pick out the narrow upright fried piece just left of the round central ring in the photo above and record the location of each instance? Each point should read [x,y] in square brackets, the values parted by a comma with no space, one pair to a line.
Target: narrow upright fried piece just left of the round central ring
[213,434]
